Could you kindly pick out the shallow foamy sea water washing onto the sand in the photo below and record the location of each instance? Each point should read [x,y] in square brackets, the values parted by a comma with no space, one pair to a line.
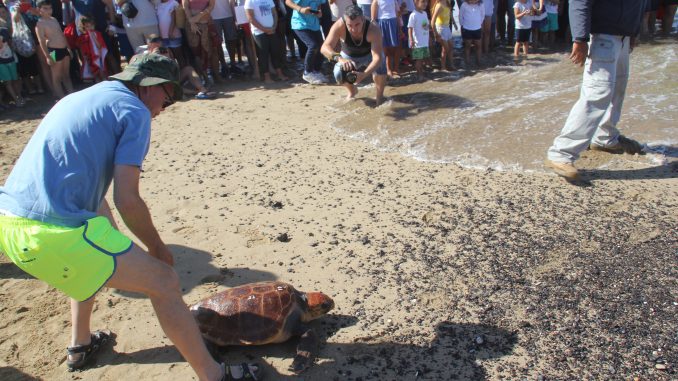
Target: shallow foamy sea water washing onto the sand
[506,116]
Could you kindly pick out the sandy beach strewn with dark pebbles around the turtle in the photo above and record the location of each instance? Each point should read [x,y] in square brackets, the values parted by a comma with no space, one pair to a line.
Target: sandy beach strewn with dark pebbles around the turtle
[438,272]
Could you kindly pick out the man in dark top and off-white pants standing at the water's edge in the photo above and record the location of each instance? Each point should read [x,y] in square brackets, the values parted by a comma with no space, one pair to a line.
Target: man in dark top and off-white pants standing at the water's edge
[604,33]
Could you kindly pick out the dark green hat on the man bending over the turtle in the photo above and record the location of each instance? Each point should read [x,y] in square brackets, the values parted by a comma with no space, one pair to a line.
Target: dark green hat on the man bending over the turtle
[150,69]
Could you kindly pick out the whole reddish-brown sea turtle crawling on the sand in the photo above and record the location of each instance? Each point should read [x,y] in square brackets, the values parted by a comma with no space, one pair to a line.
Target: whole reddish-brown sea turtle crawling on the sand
[263,313]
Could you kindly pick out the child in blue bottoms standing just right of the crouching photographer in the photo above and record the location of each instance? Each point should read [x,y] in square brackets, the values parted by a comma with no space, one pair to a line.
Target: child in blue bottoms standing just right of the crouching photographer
[388,14]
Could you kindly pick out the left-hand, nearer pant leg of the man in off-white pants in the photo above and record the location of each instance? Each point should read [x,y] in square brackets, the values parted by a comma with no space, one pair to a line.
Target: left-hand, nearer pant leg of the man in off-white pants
[597,90]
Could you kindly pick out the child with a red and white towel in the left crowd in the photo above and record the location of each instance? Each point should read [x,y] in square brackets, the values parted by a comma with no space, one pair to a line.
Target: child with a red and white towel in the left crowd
[93,51]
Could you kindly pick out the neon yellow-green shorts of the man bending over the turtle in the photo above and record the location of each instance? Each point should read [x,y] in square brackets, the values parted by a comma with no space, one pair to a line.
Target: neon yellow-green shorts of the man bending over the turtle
[77,261]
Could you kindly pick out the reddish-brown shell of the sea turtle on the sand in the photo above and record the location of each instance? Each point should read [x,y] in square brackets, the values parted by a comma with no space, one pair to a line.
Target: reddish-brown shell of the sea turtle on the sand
[252,314]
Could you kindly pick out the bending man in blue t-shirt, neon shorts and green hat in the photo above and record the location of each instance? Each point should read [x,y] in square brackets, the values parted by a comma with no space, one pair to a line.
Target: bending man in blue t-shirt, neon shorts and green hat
[56,224]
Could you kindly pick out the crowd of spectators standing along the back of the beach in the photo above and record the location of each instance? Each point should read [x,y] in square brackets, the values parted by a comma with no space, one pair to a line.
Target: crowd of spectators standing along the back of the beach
[50,45]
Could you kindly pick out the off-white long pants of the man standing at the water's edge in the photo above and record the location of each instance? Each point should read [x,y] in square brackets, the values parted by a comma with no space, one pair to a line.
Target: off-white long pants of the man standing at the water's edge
[594,117]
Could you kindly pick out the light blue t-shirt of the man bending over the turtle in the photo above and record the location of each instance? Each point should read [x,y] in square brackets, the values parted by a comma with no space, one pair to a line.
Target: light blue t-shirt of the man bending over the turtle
[67,166]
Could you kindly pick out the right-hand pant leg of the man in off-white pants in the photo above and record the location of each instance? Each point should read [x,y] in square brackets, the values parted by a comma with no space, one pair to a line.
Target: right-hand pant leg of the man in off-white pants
[607,133]
